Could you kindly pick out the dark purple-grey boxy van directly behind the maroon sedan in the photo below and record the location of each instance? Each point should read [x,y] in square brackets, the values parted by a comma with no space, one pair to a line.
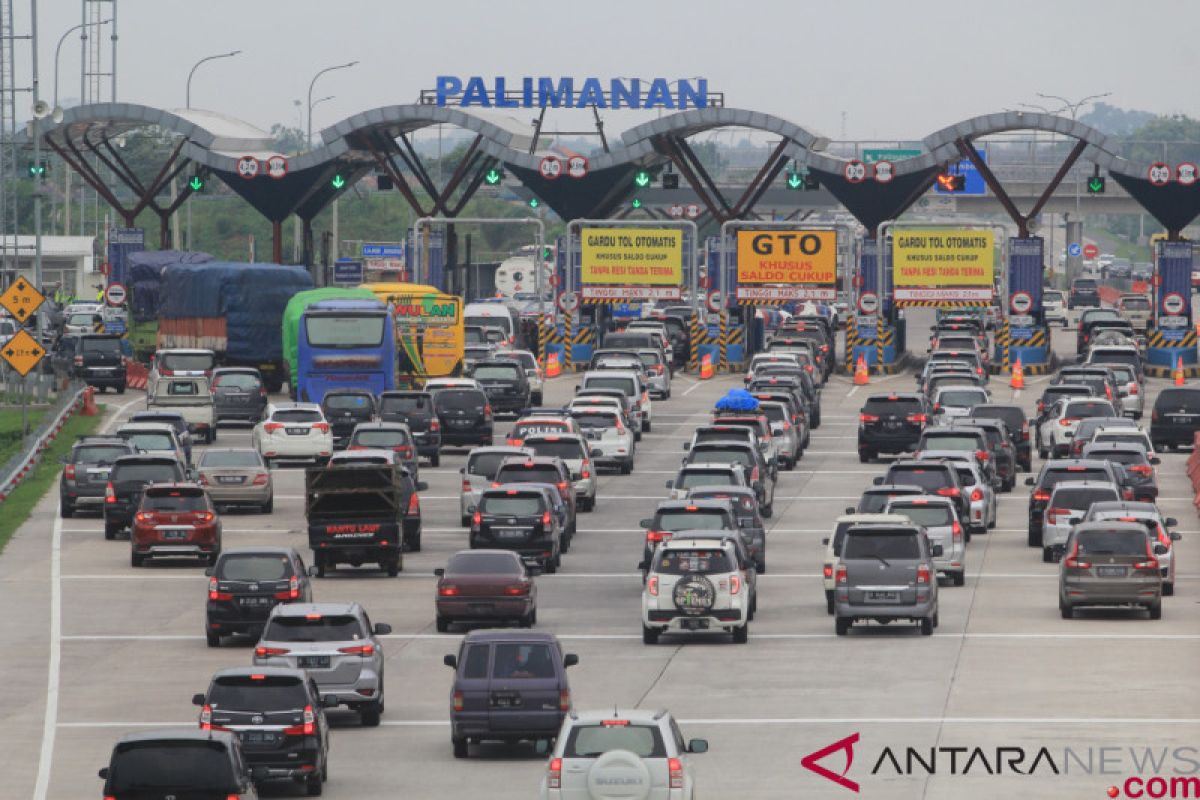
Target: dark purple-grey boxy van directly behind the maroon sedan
[508,687]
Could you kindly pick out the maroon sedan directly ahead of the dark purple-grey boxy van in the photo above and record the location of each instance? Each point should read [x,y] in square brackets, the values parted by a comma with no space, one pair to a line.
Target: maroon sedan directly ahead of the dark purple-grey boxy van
[488,587]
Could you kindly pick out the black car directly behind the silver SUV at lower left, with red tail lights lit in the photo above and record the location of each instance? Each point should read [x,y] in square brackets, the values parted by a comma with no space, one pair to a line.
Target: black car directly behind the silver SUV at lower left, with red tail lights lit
[280,718]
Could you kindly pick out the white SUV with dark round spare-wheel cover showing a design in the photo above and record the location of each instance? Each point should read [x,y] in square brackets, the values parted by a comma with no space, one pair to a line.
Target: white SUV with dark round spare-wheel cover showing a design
[698,585]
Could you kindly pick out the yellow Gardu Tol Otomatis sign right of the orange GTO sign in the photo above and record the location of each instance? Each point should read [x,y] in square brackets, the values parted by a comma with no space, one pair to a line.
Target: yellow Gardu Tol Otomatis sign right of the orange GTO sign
[944,258]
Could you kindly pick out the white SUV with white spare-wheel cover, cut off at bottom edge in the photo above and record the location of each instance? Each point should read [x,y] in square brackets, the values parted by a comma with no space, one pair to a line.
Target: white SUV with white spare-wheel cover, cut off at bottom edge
[610,755]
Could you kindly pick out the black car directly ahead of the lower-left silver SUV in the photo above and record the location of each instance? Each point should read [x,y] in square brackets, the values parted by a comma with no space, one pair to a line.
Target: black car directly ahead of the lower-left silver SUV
[247,584]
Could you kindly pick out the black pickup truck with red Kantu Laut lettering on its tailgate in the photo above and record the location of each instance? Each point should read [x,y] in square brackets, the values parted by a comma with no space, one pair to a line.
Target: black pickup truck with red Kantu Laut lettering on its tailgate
[358,514]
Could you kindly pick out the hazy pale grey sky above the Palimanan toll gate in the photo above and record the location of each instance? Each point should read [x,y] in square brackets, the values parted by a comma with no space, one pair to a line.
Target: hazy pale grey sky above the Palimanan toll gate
[897,70]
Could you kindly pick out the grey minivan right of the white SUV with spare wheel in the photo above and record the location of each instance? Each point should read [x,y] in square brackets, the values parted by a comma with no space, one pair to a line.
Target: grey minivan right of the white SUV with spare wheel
[886,573]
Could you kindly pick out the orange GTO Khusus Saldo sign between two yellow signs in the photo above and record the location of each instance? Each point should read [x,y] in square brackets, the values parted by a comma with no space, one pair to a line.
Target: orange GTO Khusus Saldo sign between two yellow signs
[808,257]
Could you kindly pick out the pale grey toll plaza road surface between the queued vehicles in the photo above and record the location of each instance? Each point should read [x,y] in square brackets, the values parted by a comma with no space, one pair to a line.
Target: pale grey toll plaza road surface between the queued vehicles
[112,649]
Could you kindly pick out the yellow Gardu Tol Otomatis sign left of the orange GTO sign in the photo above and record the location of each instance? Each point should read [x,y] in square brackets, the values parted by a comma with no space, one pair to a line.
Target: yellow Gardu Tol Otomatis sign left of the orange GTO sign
[632,257]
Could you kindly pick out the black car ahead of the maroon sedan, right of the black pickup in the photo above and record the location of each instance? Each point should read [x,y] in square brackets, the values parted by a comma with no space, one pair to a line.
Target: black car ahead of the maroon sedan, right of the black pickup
[519,519]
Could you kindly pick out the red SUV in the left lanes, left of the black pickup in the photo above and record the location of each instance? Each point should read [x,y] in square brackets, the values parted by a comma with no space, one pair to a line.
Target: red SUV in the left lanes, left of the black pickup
[176,520]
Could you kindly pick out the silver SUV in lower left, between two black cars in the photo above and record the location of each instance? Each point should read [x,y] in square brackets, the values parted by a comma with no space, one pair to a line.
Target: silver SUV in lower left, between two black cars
[339,647]
